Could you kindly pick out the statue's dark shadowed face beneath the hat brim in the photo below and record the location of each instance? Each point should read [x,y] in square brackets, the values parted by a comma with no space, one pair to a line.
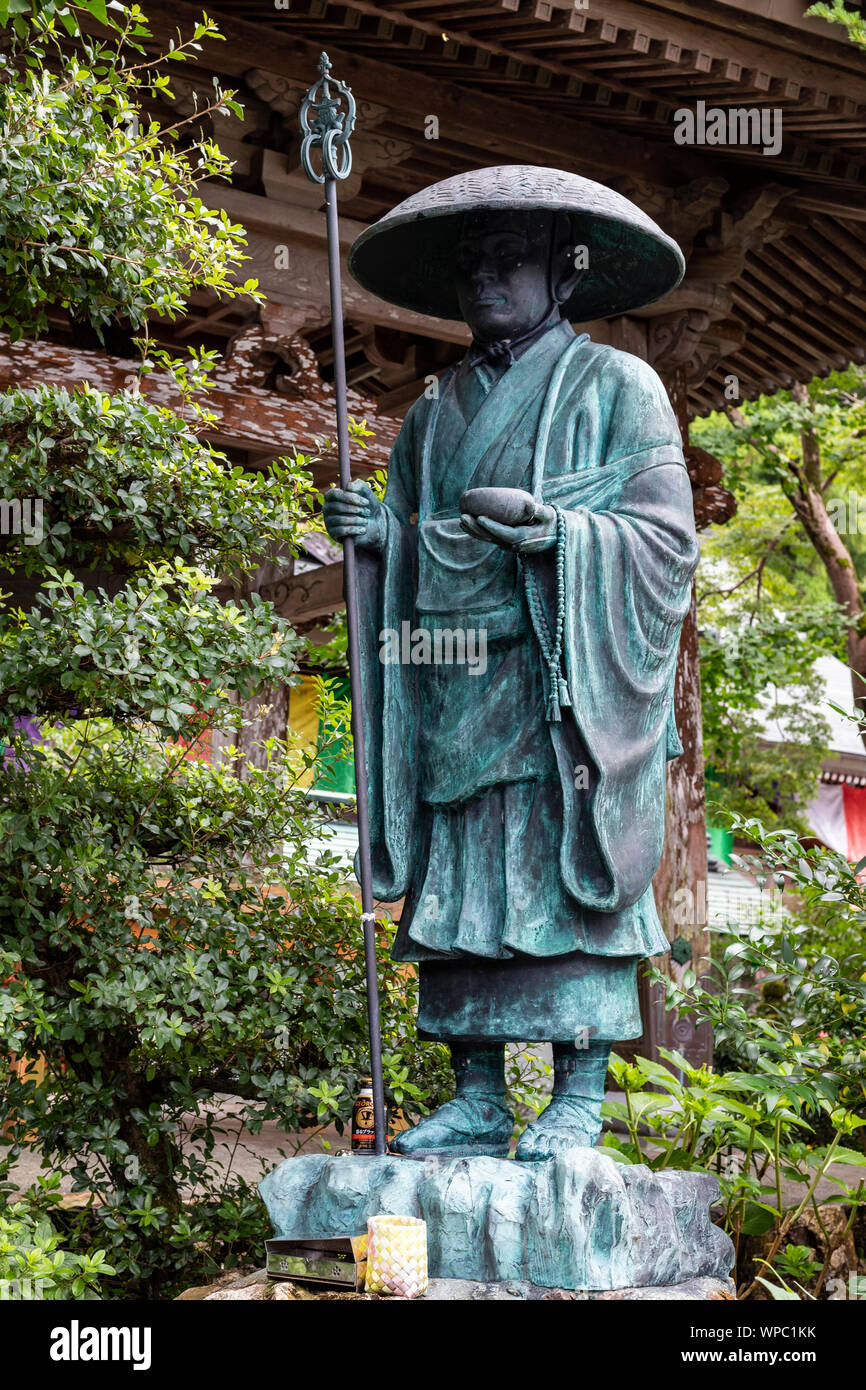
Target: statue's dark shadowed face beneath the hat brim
[503,275]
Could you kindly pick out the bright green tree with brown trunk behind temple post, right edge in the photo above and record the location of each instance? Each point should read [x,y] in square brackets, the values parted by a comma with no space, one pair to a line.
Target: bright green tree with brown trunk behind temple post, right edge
[779,586]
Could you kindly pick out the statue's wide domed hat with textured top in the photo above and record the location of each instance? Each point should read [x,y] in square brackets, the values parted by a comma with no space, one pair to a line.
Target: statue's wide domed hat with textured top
[408,258]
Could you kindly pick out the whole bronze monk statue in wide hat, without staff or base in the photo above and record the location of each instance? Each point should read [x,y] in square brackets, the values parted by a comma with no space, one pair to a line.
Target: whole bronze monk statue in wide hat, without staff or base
[537,511]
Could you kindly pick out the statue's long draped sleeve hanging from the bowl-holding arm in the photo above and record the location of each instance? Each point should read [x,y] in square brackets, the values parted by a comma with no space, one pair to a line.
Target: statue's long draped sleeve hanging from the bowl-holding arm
[630,555]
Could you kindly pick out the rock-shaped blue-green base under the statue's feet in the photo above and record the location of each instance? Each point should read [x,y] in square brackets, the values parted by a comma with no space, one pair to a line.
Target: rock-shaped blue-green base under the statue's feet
[580,1221]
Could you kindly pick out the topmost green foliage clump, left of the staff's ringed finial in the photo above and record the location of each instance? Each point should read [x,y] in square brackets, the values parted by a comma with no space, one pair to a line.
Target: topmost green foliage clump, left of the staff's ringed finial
[101,213]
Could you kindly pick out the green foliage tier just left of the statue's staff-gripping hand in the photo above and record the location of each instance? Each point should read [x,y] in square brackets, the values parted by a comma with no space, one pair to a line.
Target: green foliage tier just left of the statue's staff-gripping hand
[123,482]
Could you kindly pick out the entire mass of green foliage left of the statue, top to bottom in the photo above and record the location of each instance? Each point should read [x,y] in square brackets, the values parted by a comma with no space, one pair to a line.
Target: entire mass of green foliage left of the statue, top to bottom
[168,935]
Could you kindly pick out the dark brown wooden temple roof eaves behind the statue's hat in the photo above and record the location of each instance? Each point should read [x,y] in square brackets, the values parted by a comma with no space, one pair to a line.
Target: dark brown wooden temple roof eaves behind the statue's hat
[776,244]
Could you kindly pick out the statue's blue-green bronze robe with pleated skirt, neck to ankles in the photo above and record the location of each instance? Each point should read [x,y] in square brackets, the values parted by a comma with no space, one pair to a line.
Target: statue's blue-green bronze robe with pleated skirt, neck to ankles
[526,849]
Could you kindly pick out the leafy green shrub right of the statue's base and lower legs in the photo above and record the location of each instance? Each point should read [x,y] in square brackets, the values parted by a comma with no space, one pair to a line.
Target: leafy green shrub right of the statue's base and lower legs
[790,1106]
